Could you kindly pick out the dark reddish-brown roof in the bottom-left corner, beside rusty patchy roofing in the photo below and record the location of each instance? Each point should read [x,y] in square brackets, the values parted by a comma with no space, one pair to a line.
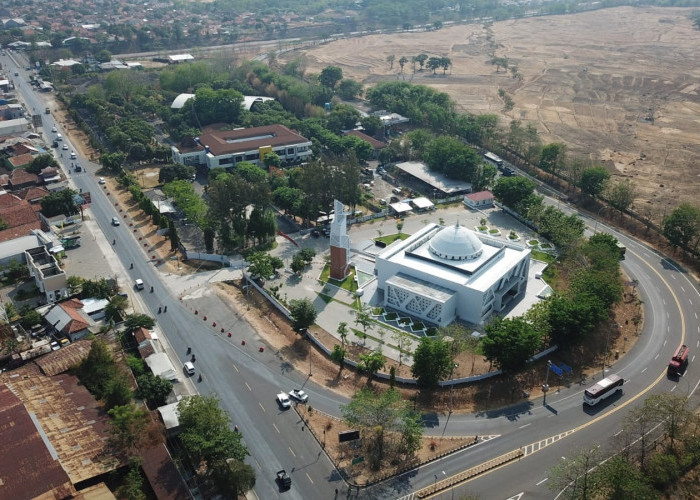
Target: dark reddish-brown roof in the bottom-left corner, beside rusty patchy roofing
[27,469]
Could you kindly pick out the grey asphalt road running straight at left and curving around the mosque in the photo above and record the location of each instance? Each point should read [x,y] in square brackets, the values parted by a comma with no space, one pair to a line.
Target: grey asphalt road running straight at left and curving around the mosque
[247,383]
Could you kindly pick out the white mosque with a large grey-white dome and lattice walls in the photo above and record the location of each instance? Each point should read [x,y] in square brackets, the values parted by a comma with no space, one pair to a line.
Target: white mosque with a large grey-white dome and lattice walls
[442,274]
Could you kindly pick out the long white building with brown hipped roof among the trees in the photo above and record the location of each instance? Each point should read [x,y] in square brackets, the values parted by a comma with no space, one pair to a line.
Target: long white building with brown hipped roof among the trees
[217,148]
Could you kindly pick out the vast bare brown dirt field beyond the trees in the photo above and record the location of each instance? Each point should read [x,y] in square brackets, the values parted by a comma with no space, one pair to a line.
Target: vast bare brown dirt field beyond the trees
[590,80]
